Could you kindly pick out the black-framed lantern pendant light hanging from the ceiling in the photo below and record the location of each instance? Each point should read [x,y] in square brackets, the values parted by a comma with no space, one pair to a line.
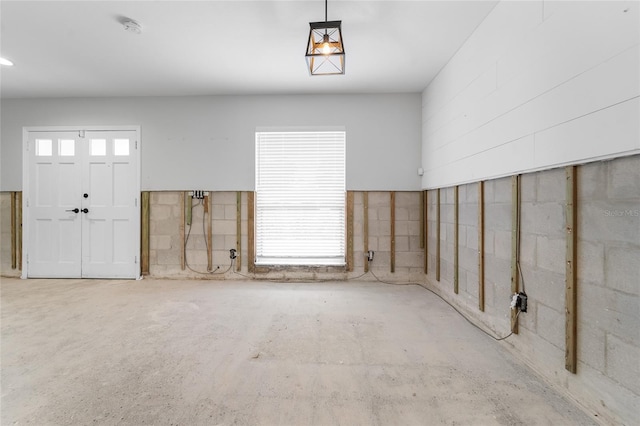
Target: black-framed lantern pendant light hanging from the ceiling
[325,50]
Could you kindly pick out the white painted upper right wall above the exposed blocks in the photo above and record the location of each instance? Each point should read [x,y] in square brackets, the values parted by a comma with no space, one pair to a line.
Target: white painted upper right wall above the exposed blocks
[540,84]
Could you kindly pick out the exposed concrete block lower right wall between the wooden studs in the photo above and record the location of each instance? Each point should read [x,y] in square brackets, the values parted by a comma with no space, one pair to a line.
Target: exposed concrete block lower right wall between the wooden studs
[607,381]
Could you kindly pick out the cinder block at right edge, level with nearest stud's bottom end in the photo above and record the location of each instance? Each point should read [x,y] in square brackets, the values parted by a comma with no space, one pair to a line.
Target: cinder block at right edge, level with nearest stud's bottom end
[622,362]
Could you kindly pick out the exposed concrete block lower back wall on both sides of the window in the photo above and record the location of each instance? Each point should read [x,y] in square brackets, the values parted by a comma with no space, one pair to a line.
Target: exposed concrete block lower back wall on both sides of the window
[165,244]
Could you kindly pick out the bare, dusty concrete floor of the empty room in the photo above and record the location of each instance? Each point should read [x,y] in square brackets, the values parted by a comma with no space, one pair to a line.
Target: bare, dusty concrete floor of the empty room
[223,353]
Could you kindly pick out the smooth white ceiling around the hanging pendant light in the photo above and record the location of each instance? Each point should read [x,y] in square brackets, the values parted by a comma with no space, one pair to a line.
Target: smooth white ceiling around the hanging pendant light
[81,49]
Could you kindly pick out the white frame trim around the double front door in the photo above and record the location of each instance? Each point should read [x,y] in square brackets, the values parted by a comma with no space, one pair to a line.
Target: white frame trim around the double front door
[25,183]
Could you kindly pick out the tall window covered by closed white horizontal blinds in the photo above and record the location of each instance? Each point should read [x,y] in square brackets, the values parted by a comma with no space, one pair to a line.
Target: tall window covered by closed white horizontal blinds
[300,198]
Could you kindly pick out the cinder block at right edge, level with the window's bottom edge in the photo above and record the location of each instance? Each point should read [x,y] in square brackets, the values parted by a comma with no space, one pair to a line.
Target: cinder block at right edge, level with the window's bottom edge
[622,269]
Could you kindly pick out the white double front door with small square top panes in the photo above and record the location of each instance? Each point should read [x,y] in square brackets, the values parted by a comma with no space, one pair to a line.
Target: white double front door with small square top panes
[82,204]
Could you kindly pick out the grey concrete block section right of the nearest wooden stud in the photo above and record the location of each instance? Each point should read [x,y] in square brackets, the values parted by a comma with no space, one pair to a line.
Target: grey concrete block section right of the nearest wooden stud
[609,282]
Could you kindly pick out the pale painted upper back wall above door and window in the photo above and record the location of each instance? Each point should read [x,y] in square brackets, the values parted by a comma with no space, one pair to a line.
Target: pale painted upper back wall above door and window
[208,142]
